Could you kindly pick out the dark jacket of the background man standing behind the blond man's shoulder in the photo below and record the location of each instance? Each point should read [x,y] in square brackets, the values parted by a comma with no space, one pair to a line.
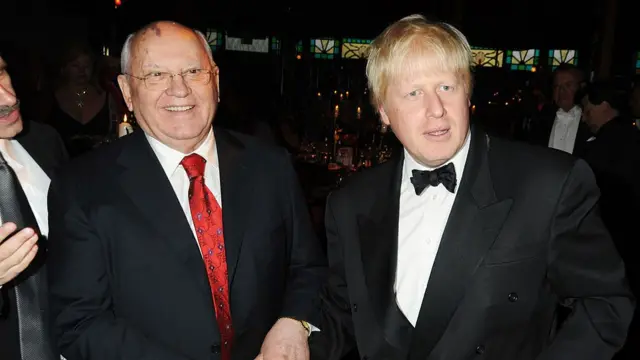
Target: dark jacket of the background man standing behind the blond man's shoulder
[536,130]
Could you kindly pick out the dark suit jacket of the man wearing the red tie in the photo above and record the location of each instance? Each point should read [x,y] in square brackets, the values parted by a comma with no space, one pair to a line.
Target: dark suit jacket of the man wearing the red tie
[127,280]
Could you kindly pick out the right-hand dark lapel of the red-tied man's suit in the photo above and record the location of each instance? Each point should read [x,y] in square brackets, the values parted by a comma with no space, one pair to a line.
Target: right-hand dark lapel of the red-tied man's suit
[236,195]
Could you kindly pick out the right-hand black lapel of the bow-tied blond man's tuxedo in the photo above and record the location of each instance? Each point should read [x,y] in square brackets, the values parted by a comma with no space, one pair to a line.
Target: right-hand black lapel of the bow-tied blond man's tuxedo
[474,223]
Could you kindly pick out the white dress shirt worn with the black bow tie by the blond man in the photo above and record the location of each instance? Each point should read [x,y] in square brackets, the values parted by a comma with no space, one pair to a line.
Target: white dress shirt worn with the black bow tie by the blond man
[422,221]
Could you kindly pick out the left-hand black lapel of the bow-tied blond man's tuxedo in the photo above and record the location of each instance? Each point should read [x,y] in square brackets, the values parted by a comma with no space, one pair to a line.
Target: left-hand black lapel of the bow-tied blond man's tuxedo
[378,235]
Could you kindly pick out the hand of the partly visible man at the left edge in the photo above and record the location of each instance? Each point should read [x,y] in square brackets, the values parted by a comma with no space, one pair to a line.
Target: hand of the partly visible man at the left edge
[16,252]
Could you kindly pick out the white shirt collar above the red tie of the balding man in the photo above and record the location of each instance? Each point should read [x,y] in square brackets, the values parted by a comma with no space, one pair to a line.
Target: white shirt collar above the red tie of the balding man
[170,158]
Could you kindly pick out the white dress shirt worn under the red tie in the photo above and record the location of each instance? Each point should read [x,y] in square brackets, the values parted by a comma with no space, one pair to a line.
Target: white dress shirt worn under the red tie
[170,161]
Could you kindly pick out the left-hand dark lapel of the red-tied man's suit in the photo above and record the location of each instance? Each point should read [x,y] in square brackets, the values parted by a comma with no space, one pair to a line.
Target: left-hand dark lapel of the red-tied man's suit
[148,187]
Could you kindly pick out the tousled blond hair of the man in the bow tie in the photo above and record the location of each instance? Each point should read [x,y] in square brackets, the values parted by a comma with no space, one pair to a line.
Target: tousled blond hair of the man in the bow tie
[438,46]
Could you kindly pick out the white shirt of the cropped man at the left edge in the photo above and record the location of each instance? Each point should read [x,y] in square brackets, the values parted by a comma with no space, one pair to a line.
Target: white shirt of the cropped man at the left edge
[34,181]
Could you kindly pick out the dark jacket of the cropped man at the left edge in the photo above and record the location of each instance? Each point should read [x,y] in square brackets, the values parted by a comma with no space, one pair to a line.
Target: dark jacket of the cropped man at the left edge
[46,148]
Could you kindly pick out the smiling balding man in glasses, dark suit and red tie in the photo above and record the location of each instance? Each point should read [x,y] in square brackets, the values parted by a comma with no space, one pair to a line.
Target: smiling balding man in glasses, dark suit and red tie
[181,241]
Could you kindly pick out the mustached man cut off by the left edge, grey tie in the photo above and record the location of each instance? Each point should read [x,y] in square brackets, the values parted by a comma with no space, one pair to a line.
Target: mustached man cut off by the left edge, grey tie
[29,153]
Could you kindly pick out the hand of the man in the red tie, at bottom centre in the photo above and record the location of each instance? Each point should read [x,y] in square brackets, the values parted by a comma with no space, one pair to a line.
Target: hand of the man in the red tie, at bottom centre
[287,340]
